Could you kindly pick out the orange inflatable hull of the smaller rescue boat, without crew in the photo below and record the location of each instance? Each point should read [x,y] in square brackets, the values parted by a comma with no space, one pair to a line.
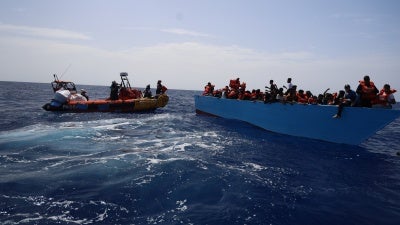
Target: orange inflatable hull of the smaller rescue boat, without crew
[129,105]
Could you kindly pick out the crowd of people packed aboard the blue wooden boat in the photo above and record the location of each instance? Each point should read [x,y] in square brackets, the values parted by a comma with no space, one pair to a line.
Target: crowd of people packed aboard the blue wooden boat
[366,94]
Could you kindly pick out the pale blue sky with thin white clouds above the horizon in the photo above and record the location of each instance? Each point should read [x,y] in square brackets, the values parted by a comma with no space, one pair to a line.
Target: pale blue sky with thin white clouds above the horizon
[320,44]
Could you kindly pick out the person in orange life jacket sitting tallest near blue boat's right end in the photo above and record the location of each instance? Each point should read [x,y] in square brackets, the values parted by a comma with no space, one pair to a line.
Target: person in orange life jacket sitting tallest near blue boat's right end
[367,92]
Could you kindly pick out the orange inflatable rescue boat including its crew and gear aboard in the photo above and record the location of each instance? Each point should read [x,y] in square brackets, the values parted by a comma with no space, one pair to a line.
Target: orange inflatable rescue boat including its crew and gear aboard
[123,98]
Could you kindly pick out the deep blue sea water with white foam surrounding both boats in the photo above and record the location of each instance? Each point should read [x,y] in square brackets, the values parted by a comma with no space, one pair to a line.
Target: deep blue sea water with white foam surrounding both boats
[172,166]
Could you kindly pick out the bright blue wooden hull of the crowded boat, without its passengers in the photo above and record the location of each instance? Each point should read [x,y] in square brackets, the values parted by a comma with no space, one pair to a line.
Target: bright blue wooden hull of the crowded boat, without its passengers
[356,125]
